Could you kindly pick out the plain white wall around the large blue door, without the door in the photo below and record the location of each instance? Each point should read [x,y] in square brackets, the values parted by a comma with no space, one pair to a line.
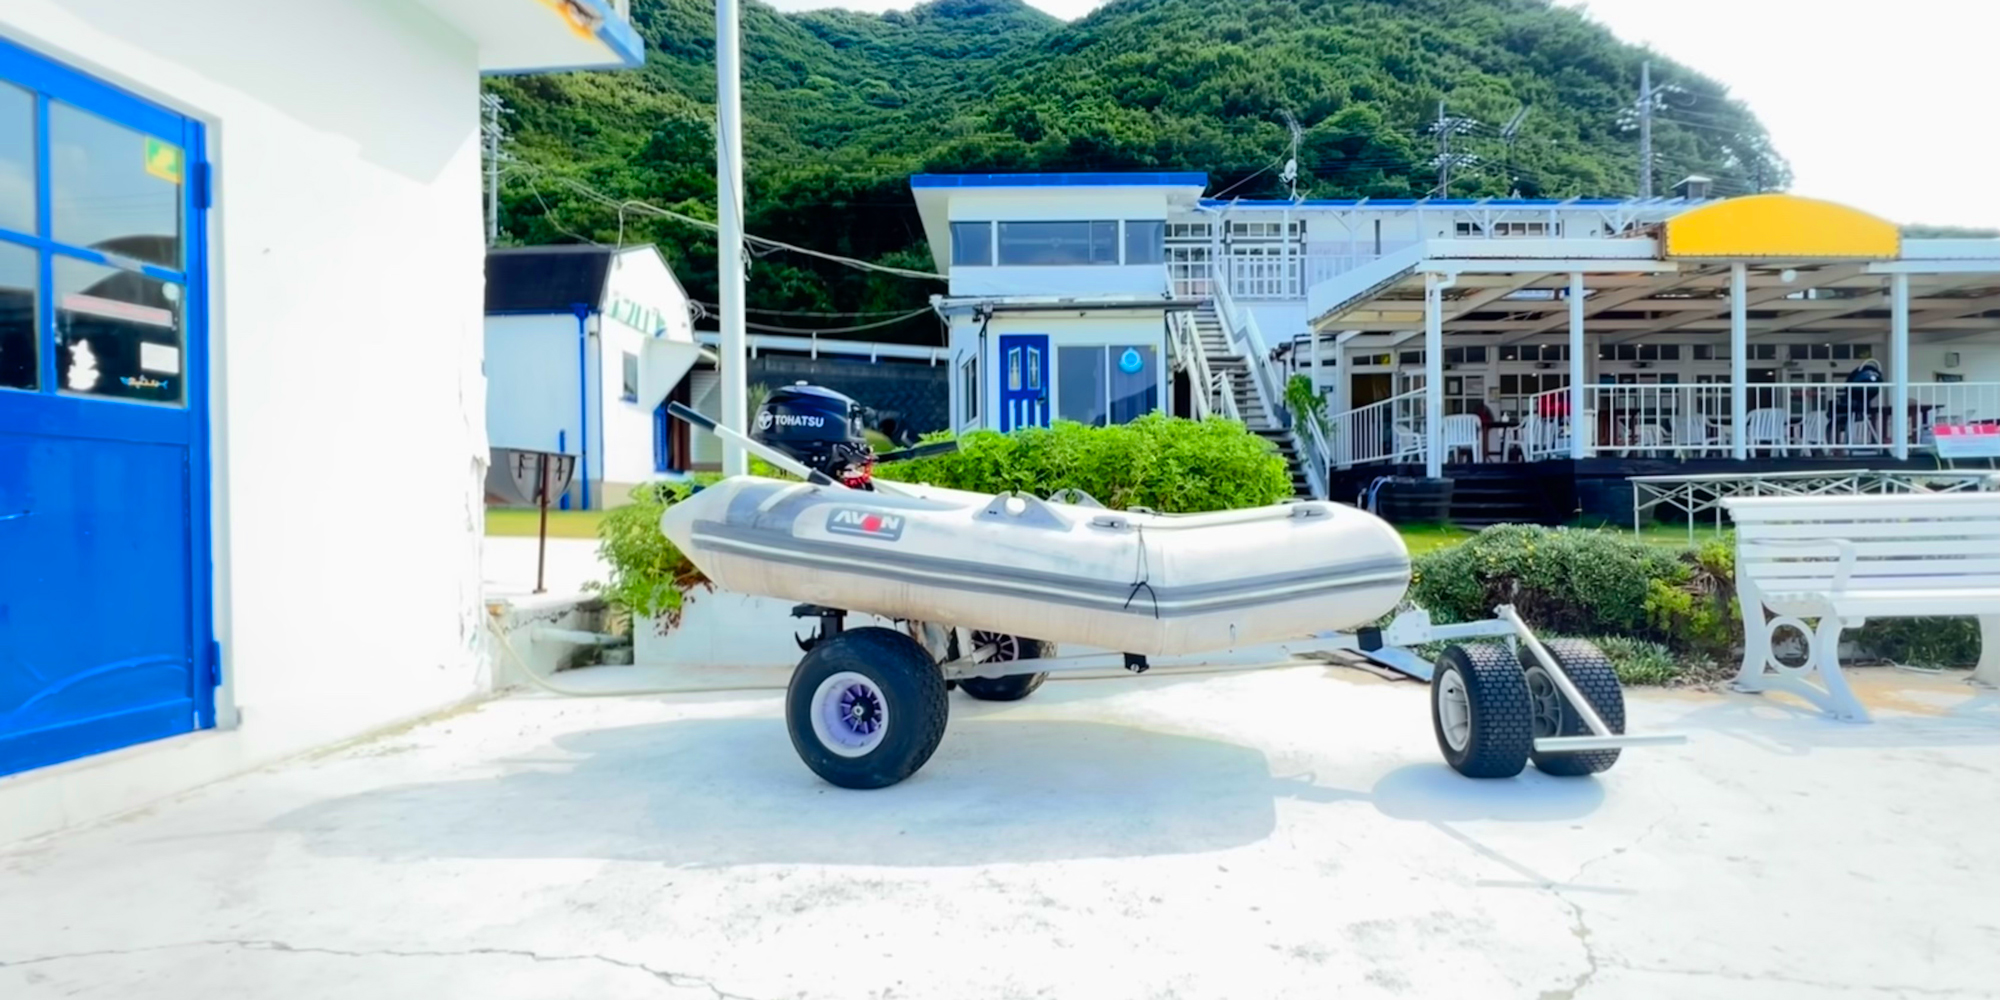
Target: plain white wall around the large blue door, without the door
[349,403]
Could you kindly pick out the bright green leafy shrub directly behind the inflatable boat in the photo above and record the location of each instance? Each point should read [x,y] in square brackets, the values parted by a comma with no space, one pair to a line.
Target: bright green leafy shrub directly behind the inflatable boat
[1159,463]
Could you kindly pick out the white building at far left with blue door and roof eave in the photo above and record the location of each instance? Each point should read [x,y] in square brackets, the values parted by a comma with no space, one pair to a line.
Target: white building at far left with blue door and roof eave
[241,409]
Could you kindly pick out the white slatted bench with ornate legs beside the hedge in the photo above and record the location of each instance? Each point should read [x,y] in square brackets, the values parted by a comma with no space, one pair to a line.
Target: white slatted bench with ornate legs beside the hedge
[1841,561]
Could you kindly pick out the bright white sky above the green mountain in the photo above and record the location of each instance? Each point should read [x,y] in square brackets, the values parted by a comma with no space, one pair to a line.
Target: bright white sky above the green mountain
[1883,105]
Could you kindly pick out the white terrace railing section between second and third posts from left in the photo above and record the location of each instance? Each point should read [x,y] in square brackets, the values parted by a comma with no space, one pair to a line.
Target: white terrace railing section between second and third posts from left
[1657,421]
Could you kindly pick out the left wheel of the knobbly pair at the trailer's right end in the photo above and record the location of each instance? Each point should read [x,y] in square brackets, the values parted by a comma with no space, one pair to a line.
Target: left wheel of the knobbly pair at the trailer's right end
[1479,709]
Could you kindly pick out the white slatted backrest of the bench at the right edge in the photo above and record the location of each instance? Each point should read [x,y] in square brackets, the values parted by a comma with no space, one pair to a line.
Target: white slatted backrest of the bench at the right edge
[1893,541]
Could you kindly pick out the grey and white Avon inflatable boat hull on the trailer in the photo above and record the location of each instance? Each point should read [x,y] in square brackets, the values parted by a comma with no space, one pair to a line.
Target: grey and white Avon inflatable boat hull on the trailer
[1067,573]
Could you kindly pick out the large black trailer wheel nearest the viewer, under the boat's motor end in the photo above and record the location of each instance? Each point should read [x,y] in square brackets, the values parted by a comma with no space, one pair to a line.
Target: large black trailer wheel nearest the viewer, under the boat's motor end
[867,709]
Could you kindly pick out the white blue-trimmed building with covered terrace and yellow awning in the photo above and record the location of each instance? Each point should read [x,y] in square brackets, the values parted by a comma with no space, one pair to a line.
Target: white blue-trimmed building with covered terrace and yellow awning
[1049,271]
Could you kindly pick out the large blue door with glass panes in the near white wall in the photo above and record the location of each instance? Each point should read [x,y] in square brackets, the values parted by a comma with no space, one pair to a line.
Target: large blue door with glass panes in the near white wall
[105,571]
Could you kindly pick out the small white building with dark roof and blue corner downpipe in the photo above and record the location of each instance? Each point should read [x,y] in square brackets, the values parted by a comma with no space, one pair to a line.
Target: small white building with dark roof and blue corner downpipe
[583,349]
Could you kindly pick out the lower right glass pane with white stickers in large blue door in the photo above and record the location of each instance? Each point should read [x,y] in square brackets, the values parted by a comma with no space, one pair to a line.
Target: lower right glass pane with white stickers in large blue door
[117,333]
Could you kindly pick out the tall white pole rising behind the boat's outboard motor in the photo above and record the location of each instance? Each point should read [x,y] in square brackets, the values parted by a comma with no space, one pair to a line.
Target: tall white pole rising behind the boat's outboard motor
[731,359]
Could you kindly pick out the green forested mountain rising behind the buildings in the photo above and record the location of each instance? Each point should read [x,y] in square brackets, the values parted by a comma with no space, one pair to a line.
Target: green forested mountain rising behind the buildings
[841,109]
